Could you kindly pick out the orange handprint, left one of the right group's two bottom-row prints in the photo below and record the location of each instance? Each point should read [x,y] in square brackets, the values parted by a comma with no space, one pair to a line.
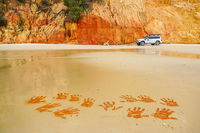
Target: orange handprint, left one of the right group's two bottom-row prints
[136,112]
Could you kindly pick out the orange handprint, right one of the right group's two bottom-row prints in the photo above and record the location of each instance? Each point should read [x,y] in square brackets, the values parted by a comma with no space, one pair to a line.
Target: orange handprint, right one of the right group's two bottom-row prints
[163,114]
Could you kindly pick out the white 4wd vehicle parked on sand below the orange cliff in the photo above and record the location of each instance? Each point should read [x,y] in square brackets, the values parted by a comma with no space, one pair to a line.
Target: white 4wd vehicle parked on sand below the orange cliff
[153,39]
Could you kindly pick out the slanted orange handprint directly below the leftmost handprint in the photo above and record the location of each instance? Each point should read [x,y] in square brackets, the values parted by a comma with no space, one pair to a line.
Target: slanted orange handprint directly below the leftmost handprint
[46,107]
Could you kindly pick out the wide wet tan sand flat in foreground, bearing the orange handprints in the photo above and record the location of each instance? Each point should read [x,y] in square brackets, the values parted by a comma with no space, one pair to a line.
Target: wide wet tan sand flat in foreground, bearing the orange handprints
[102,76]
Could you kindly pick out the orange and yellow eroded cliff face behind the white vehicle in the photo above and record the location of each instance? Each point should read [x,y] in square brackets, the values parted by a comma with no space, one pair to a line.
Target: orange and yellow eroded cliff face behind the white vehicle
[114,21]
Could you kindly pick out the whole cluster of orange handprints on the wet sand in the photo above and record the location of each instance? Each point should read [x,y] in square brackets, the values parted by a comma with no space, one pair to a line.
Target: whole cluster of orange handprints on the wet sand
[135,112]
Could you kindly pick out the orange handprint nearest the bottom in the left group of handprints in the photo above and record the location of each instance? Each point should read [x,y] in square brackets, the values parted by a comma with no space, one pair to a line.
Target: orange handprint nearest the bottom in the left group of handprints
[69,111]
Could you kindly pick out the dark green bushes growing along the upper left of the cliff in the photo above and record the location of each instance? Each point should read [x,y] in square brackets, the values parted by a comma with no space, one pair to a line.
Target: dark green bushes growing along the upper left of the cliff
[74,12]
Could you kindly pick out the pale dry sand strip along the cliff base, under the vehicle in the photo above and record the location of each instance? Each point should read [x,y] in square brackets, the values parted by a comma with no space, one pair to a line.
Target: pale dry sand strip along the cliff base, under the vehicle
[186,48]
